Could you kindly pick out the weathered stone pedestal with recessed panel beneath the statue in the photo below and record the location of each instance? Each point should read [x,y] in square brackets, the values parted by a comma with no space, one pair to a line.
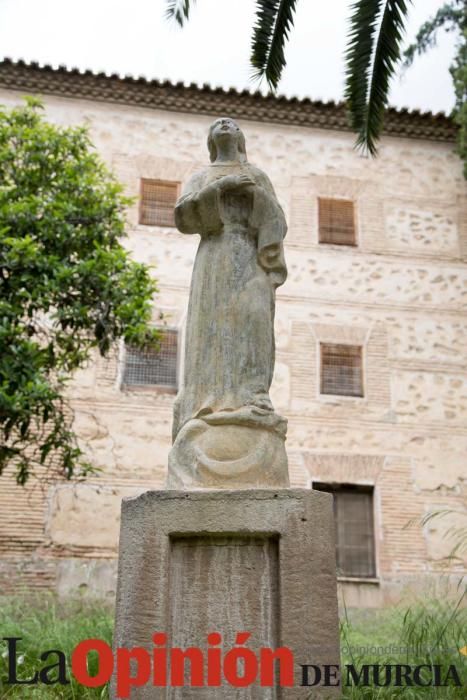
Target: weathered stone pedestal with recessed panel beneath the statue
[256,561]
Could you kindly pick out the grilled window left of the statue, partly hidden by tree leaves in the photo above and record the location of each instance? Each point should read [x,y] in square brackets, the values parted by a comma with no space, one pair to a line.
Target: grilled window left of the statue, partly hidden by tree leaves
[154,367]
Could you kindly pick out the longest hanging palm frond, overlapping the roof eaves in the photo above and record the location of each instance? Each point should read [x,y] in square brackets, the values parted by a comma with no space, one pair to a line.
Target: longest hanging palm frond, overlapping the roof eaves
[376,56]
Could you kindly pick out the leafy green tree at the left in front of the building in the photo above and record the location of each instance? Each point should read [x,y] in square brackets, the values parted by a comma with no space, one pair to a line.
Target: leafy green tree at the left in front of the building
[67,285]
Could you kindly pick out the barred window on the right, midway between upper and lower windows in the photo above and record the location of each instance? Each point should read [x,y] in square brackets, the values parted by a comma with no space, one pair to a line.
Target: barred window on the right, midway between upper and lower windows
[341,369]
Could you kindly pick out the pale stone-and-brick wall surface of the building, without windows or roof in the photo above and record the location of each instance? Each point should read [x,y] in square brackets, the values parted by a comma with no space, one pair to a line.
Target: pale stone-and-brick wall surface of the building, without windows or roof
[401,293]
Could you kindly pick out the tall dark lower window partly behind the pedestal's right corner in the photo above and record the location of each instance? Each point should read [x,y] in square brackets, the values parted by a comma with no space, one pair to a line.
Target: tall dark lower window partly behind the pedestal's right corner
[353,515]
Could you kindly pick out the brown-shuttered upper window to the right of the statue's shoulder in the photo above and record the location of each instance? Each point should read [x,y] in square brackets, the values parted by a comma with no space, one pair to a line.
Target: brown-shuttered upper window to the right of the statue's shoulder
[336,221]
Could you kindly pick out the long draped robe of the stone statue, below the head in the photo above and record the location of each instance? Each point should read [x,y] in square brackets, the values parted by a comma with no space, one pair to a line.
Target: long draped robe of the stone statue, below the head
[229,352]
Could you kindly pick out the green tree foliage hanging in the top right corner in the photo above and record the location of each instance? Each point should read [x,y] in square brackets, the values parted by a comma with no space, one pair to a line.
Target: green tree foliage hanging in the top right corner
[451,17]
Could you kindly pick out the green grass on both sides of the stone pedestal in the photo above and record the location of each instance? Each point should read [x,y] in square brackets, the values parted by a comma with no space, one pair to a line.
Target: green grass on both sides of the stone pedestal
[430,633]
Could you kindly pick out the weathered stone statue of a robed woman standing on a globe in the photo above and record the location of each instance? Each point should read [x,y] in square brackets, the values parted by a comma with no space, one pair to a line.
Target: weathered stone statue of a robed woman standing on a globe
[225,431]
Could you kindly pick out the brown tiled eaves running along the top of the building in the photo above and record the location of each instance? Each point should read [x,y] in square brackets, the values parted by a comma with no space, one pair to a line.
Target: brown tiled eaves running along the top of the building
[178,97]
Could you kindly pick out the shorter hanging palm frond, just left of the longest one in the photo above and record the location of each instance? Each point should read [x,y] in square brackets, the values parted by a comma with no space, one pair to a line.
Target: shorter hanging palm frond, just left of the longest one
[274,19]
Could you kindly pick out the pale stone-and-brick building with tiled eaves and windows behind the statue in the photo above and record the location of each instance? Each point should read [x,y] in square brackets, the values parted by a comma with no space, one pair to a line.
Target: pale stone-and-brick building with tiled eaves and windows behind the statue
[371,331]
